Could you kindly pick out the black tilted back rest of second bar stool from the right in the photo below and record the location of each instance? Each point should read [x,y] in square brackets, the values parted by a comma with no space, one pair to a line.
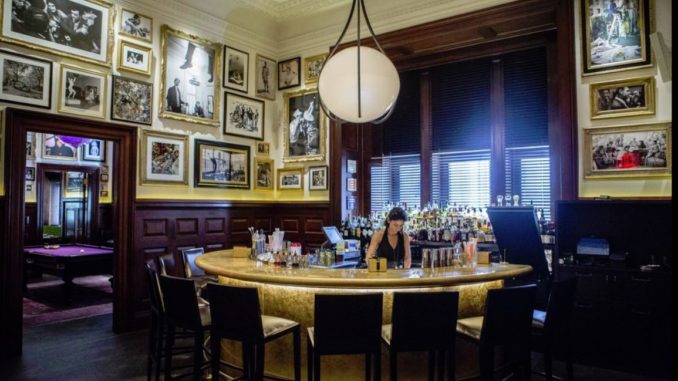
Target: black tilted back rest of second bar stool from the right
[508,316]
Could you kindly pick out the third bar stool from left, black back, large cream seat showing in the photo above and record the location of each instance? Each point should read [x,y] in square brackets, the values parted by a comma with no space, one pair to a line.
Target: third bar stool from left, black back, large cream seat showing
[236,315]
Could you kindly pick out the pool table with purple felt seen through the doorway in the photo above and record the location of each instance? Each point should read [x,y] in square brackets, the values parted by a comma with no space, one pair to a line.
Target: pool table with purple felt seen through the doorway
[69,261]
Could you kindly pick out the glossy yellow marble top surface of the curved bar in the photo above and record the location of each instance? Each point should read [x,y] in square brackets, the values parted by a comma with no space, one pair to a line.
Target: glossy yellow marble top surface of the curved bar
[222,263]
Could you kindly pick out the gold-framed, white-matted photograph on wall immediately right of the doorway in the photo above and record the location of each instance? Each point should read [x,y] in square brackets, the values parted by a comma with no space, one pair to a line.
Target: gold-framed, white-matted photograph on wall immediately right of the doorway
[164,158]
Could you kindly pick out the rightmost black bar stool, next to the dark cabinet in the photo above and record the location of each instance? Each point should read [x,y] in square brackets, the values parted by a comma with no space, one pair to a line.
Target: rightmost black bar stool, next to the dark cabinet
[551,329]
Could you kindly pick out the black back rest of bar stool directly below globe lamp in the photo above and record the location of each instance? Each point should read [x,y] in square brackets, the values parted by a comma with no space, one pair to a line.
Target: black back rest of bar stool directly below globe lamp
[346,324]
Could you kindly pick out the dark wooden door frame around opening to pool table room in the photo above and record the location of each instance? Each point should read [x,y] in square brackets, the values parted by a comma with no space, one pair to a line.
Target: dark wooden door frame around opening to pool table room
[124,137]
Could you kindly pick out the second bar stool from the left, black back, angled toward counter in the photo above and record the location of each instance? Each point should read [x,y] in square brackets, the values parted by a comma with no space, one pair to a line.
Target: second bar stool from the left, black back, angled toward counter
[183,311]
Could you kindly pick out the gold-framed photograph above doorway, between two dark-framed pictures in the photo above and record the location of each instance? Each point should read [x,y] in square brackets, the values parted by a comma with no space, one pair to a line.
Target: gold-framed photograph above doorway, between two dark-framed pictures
[82,92]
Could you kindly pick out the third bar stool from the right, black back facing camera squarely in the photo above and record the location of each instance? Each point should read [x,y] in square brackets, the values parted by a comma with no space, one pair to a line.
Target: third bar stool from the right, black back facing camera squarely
[434,334]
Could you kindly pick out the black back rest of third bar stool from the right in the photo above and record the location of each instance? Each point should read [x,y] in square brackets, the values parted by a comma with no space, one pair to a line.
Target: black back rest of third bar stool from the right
[424,321]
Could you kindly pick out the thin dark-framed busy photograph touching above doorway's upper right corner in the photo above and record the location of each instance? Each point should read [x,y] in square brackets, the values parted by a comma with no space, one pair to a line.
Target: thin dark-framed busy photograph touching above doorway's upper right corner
[132,100]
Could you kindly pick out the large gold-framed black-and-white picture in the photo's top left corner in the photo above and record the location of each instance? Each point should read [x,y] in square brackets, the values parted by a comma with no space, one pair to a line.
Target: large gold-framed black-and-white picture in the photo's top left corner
[98,50]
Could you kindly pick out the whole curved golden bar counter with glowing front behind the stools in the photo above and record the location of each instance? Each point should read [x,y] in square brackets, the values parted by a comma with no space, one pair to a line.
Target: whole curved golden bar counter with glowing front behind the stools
[289,293]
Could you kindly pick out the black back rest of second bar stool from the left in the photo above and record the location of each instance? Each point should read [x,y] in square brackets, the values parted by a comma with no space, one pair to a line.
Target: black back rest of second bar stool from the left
[181,301]
